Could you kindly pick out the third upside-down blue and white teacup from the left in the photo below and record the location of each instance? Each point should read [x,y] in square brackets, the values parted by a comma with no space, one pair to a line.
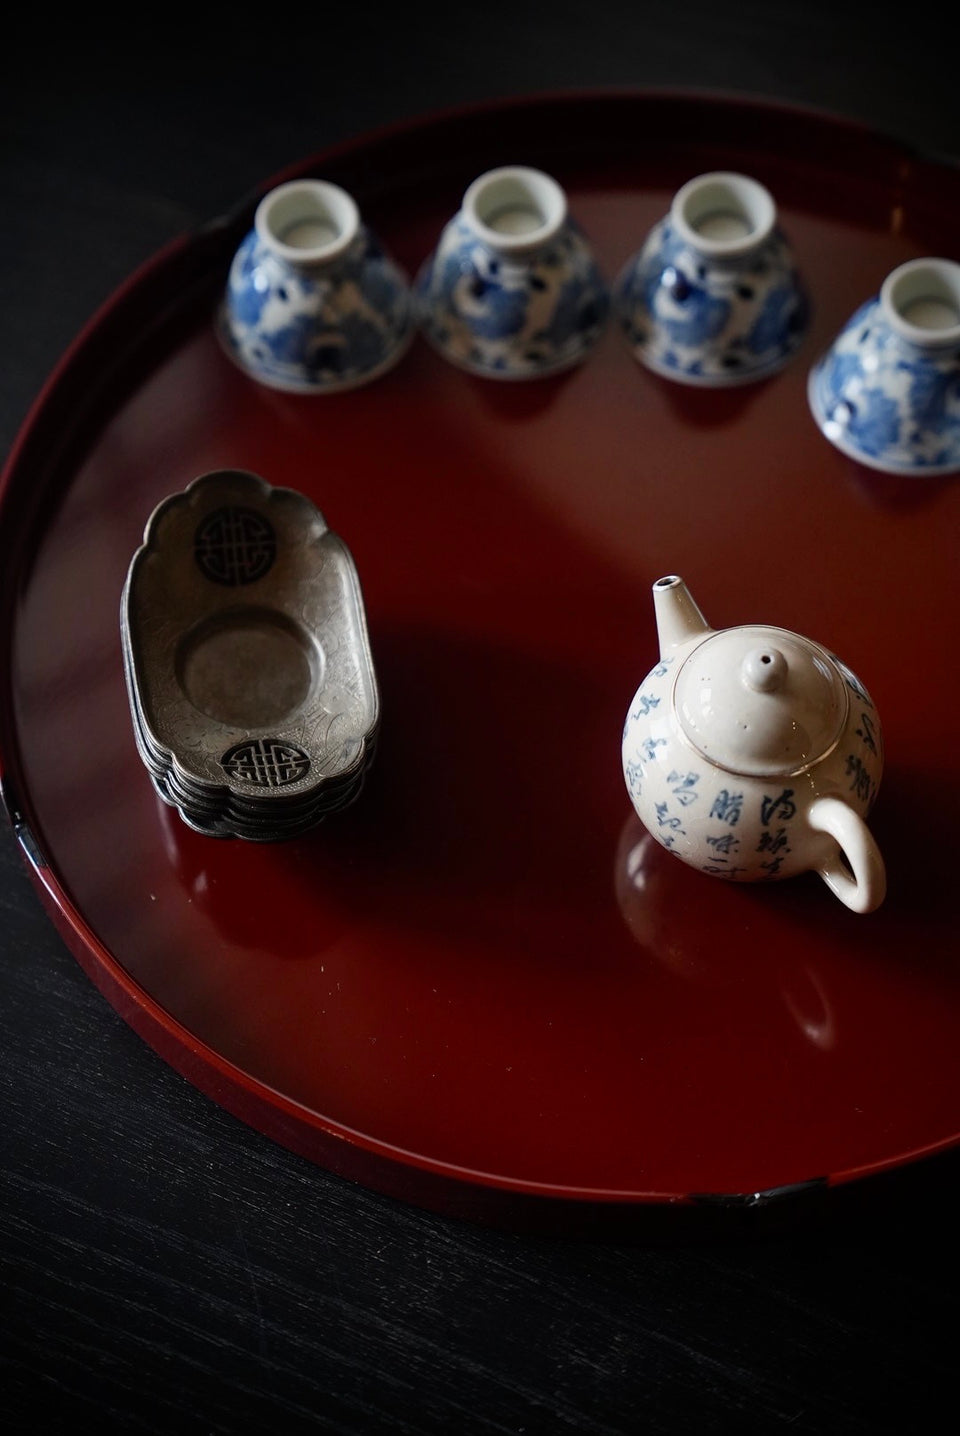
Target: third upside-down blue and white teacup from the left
[714,297]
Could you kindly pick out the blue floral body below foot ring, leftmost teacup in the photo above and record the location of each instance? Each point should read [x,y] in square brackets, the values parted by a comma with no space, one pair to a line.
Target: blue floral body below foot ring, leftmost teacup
[318,330]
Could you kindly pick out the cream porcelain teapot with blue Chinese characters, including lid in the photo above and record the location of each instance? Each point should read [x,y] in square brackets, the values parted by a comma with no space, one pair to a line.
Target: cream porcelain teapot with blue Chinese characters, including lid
[754,755]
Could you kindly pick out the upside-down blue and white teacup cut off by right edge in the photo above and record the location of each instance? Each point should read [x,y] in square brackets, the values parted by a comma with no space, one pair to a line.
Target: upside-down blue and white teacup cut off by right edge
[888,391]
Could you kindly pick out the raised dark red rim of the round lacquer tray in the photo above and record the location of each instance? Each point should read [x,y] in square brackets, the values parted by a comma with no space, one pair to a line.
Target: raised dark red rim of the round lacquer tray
[375,1164]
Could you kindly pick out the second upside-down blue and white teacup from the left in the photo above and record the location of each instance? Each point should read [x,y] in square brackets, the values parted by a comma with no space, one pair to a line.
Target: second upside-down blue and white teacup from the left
[513,289]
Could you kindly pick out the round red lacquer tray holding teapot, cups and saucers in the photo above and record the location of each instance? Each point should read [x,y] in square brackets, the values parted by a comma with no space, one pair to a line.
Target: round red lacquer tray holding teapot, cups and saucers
[484,984]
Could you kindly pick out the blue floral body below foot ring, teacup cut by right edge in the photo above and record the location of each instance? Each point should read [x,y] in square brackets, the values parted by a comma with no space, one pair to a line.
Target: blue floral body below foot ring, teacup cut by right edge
[888,403]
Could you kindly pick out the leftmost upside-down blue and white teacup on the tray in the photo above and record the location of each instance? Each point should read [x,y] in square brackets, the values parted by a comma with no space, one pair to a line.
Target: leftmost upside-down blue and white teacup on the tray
[314,304]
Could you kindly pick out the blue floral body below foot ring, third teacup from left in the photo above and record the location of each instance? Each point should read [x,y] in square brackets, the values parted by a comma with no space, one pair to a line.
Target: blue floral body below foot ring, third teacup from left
[712,322]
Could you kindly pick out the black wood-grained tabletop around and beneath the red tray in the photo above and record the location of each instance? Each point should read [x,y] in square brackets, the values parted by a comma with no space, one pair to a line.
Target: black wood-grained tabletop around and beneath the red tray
[163,1267]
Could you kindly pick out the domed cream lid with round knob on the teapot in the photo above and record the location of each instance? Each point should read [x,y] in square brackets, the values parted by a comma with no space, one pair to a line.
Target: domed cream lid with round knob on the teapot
[761,701]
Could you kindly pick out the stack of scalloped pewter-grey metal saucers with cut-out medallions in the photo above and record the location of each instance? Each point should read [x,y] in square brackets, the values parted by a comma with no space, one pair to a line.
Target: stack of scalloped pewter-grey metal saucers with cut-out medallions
[248,660]
